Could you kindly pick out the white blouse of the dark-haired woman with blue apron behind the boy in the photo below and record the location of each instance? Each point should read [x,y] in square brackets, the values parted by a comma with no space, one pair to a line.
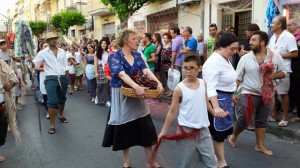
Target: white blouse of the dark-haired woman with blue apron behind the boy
[219,75]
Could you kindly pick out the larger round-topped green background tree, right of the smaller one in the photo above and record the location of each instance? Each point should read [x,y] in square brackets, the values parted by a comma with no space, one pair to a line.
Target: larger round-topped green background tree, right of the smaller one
[65,19]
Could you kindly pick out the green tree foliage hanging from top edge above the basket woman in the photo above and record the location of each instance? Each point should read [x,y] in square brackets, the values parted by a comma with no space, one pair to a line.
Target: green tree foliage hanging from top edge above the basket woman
[125,8]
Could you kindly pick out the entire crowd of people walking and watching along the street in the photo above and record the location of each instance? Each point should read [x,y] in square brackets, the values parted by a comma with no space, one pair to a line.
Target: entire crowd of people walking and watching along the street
[215,74]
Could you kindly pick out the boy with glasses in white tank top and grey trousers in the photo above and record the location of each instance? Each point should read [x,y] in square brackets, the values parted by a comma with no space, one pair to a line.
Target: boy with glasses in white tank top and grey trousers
[190,100]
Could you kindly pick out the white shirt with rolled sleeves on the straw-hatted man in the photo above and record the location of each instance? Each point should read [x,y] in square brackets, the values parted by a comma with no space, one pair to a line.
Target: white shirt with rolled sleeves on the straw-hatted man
[52,65]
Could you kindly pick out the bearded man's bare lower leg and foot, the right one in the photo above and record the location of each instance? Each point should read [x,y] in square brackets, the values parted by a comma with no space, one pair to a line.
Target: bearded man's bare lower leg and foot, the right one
[260,140]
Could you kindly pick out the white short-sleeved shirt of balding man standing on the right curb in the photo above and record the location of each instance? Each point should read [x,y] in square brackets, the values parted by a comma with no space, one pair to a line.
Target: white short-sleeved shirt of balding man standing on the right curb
[285,44]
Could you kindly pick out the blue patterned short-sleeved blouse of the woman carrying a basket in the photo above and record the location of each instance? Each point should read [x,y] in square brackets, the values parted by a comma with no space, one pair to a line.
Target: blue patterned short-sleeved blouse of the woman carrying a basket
[118,63]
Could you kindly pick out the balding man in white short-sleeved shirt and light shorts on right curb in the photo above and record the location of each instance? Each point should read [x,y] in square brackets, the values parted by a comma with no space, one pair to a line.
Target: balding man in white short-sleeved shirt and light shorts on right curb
[283,43]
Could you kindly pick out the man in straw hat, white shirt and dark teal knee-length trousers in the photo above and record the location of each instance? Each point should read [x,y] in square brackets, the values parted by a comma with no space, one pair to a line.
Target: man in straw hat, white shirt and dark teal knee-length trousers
[56,81]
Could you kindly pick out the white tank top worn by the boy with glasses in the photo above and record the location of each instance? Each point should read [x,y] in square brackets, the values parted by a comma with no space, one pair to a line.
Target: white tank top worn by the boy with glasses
[193,109]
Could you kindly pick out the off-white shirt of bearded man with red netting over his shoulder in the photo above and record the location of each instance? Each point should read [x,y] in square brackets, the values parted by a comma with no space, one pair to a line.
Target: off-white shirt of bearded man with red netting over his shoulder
[249,74]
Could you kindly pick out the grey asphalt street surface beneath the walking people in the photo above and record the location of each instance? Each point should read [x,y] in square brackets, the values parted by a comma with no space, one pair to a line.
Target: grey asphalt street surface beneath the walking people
[78,143]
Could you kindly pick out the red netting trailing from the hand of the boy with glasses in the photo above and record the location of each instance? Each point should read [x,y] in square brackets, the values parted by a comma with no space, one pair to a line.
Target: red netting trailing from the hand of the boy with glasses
[175,136]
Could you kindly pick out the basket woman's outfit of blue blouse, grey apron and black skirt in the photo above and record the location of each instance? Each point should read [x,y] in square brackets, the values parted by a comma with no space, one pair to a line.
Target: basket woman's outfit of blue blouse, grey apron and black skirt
[129,121]
